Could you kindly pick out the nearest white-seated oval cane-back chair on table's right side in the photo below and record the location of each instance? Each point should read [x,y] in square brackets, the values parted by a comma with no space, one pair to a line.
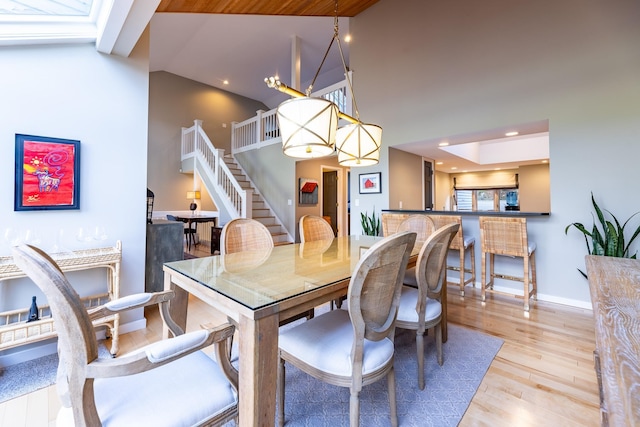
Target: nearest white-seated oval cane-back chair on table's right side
[354,348]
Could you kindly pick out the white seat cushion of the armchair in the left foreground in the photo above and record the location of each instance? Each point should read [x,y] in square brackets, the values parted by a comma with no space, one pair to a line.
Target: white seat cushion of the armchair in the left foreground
[181,393]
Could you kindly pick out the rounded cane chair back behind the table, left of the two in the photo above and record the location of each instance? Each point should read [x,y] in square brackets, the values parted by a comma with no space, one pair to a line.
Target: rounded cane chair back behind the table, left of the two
[244,234]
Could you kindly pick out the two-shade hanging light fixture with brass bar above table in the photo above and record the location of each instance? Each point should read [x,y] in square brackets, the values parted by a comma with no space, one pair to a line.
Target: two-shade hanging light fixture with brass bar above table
[309,126]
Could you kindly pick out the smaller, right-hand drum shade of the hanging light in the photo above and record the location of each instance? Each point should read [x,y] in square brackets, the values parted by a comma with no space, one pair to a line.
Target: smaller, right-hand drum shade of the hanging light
[359,144]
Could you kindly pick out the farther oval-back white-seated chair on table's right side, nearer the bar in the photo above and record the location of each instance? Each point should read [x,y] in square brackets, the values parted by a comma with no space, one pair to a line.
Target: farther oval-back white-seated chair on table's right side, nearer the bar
[421,304]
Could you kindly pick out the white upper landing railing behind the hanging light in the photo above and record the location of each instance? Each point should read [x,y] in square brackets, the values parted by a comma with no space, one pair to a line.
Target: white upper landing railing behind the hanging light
[263,129]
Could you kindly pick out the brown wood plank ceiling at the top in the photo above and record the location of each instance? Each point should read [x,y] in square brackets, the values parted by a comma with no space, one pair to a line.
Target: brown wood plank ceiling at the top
[348,8]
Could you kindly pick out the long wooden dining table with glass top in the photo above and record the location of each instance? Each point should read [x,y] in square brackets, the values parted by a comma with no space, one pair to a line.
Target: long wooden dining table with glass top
[259,290]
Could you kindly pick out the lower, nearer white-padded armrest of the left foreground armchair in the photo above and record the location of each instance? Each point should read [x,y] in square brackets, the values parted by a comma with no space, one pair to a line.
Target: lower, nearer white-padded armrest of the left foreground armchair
[163,352]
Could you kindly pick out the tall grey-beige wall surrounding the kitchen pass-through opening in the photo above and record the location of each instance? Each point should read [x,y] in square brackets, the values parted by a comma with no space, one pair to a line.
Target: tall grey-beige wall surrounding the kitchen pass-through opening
[455,67]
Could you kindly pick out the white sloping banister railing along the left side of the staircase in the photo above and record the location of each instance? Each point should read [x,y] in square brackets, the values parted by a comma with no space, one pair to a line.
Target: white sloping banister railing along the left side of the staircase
[197,146]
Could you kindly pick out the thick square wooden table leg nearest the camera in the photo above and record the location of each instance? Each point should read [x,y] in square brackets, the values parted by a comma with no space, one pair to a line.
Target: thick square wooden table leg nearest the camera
[258,368]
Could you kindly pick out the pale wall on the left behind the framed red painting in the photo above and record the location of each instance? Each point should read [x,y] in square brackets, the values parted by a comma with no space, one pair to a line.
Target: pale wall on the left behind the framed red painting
[74,92]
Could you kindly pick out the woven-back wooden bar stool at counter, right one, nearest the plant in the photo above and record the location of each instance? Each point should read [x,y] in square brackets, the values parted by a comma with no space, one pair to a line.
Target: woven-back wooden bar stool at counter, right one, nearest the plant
[508,237]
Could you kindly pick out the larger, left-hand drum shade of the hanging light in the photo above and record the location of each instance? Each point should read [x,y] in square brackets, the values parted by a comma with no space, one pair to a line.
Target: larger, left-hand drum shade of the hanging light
[308,127]
